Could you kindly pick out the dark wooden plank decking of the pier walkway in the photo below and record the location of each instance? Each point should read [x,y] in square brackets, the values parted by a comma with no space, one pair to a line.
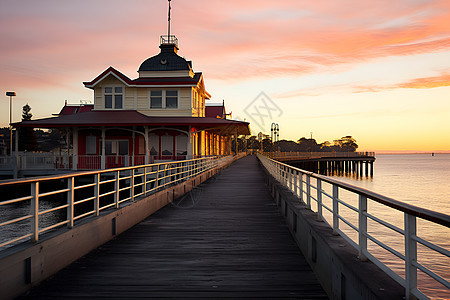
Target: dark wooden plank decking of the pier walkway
[224,240]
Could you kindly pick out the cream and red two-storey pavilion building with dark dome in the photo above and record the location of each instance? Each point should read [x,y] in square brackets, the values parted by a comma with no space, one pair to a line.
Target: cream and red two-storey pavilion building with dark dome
[161,115]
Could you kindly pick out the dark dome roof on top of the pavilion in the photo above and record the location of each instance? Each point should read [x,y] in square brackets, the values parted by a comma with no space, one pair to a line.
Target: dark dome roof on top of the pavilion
[167,60]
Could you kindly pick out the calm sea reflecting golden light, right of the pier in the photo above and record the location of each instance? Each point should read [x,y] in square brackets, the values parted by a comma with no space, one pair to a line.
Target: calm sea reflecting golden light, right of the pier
[421,180]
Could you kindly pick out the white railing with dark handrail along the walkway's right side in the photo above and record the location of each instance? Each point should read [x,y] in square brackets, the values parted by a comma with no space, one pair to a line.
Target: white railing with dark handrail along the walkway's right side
[313,188]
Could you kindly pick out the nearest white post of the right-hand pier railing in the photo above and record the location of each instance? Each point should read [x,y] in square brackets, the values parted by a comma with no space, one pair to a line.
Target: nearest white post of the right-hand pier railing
[411,256]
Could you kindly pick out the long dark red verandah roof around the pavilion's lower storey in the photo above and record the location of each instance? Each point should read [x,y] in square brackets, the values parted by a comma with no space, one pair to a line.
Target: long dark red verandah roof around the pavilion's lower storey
[97,118]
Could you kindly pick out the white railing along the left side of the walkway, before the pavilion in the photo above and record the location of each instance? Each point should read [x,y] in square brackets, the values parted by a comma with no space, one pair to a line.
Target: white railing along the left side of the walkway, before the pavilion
[32,206]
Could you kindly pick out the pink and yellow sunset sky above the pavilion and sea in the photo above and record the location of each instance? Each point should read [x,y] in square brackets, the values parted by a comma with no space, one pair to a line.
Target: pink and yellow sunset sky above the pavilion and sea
[376,70]
